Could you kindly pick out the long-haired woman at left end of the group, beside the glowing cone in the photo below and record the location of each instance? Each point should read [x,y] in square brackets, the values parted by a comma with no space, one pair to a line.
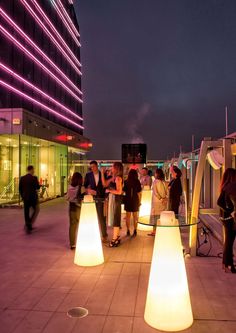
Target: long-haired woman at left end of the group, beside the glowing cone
[74,197]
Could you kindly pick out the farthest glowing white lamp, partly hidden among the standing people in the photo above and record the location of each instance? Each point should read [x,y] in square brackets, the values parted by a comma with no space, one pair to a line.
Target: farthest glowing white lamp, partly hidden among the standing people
[145,208]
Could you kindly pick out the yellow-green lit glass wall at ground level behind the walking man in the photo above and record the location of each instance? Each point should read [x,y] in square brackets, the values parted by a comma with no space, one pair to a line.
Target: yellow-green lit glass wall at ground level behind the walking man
[54,165]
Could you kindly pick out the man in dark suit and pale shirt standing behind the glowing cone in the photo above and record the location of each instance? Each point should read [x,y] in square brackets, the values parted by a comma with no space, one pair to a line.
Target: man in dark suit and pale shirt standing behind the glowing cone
[93,186]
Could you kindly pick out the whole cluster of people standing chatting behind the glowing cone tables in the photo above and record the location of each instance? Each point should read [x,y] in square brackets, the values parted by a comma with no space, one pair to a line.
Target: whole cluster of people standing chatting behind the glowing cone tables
[109,191]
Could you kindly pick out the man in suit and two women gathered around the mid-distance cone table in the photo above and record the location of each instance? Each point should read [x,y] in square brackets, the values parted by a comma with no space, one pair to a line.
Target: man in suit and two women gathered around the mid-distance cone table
[100,185]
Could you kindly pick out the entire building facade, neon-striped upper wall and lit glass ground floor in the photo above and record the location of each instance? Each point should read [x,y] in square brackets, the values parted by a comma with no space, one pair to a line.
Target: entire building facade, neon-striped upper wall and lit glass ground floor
[41,120]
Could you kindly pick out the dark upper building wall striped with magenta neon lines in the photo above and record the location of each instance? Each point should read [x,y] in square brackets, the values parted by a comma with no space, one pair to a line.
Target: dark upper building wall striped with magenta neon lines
[40,56]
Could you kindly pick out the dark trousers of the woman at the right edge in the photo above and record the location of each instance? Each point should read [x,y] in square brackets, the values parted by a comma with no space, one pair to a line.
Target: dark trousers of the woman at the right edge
[229,235]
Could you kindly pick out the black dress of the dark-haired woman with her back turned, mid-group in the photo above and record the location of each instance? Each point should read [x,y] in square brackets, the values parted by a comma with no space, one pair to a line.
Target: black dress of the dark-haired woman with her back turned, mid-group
[131,195]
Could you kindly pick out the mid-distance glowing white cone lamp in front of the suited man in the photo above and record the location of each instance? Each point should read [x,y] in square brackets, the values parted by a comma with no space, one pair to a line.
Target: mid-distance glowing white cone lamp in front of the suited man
[89,250]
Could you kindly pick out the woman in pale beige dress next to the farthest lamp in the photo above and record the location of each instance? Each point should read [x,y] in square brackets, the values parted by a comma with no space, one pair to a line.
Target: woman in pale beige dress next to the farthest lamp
[159,196]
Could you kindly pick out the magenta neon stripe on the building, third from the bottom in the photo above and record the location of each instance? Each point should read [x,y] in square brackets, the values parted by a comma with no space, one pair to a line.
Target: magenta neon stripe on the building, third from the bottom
[9,36]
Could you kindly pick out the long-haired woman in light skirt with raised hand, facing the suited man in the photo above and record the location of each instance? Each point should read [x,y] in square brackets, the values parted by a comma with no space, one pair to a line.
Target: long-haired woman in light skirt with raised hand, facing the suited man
[114,187]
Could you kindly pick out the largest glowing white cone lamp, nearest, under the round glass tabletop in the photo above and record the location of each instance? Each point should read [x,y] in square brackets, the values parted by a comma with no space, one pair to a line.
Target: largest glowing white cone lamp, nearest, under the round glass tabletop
[168,306]
